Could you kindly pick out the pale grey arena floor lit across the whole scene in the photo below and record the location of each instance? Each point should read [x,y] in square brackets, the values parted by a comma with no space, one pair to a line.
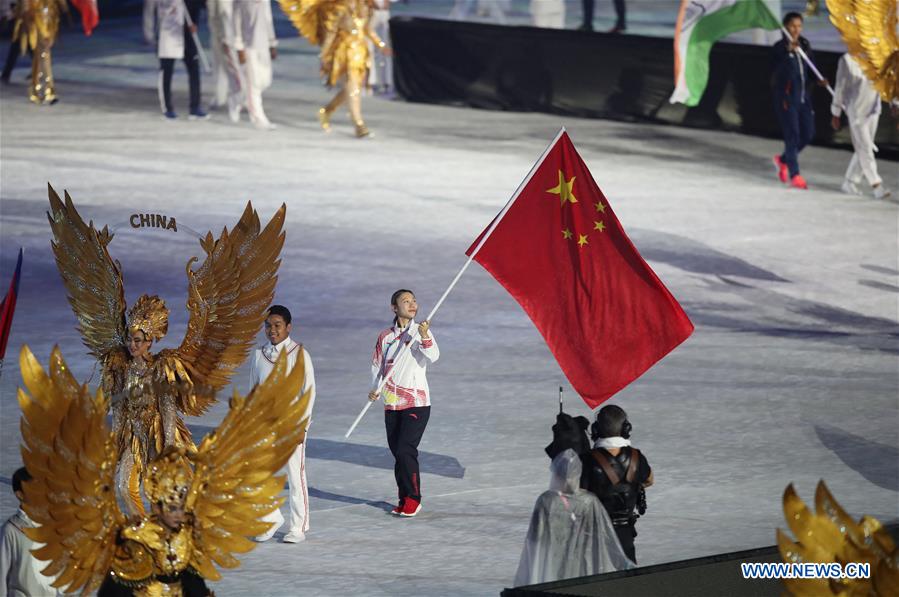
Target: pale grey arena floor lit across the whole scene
[791,375]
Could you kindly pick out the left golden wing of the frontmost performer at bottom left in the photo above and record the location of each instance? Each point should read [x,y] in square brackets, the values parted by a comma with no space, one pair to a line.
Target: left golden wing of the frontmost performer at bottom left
[71,455]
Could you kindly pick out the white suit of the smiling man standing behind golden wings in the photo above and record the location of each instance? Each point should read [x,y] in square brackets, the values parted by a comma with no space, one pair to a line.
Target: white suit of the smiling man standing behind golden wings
[263,362]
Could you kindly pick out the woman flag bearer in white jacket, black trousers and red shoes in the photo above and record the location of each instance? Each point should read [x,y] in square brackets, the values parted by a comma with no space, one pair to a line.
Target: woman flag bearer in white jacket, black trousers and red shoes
[407,398]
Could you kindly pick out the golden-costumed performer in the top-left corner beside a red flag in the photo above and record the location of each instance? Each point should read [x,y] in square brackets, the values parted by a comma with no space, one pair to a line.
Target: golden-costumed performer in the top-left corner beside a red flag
[37,24]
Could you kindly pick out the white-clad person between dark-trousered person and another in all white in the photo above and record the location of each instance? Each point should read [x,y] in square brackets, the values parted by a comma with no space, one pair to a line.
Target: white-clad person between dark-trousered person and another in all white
[228,86]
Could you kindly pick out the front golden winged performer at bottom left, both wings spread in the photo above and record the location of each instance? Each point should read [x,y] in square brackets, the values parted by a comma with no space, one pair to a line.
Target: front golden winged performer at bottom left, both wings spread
[204,505]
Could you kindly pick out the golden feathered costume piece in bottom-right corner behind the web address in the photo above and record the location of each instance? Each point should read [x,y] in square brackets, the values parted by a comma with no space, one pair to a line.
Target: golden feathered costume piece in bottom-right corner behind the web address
[829,535]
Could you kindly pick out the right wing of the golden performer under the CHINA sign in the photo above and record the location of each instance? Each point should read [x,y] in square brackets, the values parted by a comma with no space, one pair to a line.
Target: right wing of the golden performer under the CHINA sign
[228,296]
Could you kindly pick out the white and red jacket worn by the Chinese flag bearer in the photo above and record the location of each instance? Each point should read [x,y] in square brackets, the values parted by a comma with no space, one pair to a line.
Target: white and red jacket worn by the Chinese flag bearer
[408,386]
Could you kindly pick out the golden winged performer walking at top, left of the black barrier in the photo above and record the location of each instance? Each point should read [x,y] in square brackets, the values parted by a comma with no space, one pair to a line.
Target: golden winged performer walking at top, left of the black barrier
[343,29]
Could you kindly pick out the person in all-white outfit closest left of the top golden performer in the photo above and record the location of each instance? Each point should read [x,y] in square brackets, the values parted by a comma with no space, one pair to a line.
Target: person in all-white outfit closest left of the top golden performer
[255,42]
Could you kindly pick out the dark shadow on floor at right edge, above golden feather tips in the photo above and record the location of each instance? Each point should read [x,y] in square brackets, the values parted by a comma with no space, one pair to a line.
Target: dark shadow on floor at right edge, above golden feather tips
[878,463]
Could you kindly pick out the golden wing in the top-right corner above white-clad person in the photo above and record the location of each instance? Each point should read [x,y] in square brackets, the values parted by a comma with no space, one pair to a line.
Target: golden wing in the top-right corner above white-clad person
[868,28]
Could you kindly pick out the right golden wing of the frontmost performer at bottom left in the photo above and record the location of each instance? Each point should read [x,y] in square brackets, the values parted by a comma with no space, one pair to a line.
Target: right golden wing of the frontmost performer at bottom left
[235,478]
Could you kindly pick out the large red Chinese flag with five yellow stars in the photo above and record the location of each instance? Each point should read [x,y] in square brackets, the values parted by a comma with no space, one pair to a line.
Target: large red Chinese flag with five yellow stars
[562,254]
